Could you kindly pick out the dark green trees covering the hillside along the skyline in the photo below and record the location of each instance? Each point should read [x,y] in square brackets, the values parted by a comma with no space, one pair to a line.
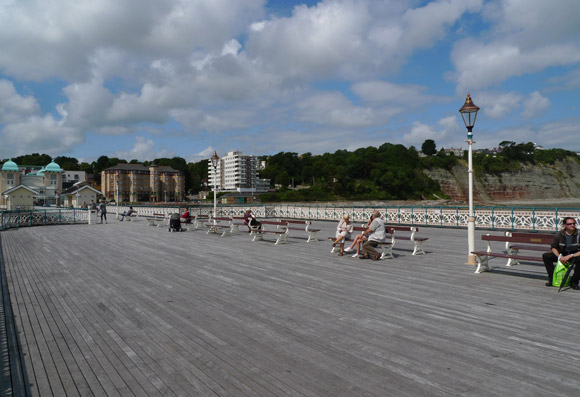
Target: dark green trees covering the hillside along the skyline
[389,172]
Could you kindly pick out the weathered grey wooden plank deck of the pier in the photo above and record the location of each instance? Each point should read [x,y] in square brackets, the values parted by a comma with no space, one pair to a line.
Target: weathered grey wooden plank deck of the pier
[124,309]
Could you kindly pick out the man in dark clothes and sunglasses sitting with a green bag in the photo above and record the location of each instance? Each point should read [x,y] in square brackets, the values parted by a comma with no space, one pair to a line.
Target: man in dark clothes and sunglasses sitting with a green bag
[565,249]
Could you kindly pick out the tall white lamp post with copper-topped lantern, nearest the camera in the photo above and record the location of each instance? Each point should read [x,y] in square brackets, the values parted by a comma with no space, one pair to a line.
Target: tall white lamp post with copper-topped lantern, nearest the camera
[469,114]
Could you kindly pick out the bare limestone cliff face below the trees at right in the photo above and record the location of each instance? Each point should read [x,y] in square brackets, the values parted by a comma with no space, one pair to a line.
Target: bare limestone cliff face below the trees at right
[547,181]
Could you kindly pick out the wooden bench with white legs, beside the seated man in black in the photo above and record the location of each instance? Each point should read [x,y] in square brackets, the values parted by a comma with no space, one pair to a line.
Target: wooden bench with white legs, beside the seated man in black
[513,245]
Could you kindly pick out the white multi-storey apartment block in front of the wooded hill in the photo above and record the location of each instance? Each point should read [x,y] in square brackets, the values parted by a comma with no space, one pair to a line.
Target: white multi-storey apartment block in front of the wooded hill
[238,172]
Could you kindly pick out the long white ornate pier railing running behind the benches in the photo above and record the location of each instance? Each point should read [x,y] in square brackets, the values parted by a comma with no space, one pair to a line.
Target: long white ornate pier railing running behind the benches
[498,218]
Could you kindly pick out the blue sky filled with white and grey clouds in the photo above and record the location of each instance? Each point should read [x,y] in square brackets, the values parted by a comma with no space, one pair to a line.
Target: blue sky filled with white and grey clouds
[140,80]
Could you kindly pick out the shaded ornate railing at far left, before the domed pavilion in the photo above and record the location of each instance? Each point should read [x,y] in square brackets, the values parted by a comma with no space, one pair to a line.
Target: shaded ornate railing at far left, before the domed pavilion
[40,217]
